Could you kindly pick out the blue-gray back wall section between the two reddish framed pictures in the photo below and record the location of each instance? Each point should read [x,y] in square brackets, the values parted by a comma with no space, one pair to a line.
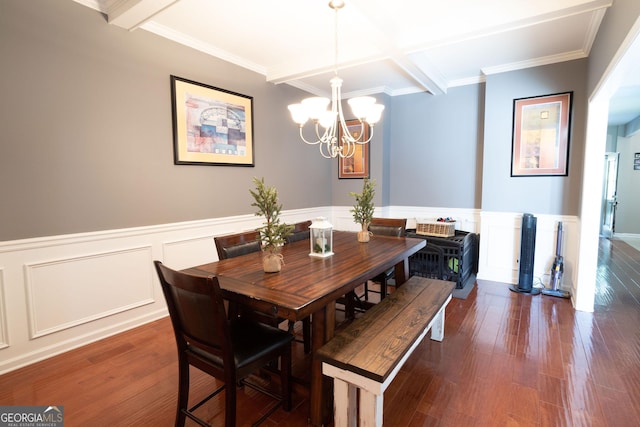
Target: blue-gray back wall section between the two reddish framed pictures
[436,148]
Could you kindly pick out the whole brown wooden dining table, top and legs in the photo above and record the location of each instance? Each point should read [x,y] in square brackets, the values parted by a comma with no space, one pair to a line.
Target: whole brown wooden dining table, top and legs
[310,286]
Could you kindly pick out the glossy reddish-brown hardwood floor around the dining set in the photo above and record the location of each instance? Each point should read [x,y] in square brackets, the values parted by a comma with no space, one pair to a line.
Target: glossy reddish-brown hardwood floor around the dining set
[507,360]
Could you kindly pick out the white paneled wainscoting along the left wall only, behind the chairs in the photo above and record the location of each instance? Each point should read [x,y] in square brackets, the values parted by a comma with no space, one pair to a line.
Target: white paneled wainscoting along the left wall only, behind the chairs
[61,292]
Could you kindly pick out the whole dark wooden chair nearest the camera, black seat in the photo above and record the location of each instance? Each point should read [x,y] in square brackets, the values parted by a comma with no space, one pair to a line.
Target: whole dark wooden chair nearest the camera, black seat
[229,349]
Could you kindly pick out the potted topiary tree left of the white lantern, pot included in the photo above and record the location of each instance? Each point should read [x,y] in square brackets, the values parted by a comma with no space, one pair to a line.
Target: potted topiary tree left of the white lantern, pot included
[273,233]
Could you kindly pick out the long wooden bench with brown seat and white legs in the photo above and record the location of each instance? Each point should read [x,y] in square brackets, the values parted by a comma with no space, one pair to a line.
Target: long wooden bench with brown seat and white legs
[367,354]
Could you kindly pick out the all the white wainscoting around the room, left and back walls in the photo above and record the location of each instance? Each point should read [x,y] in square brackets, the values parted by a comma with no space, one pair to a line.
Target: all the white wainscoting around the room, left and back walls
[58,293]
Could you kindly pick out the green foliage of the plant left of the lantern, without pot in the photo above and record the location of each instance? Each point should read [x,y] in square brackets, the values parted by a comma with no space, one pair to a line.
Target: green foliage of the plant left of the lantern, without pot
[273,233]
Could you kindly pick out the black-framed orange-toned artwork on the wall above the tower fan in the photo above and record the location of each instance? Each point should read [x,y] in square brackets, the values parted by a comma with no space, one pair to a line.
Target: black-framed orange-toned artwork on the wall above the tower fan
[541,127]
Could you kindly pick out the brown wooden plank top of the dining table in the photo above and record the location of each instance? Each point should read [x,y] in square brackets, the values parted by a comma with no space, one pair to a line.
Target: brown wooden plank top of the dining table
[307,283]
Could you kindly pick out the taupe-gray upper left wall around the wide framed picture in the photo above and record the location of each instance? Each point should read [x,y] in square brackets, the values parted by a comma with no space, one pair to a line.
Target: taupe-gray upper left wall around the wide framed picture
[87,135]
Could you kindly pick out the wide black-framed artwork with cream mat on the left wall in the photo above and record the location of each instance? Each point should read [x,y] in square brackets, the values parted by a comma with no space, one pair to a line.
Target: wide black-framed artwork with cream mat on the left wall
[211,126]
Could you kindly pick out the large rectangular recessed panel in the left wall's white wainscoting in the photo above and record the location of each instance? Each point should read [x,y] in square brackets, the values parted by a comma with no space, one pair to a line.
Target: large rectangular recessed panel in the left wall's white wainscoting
[68,292]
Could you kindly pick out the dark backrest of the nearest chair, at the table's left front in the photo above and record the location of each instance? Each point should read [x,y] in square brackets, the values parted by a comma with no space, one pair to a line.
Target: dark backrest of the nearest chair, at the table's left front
[197,312]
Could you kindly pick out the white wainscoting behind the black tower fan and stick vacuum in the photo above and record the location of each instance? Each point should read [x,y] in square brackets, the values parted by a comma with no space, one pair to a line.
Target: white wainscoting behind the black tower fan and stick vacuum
[500,247]
